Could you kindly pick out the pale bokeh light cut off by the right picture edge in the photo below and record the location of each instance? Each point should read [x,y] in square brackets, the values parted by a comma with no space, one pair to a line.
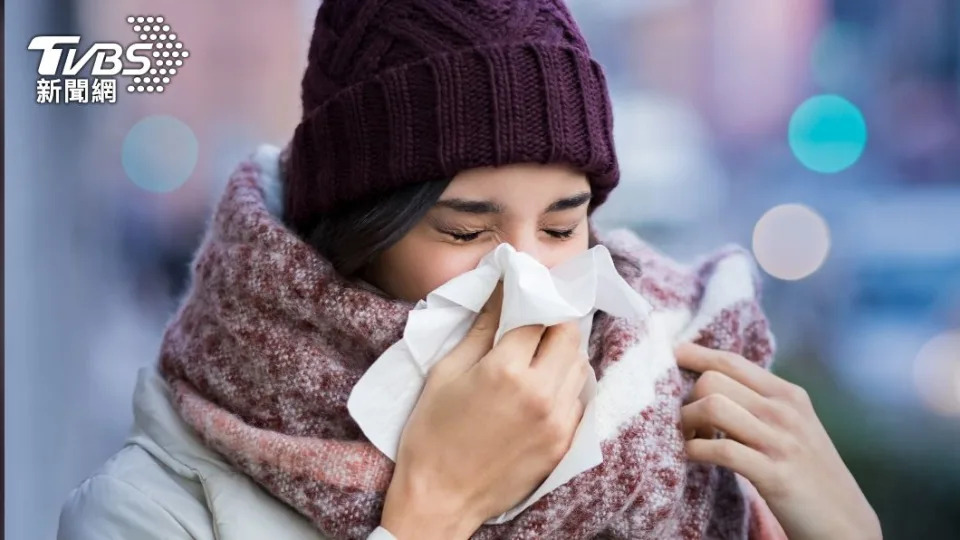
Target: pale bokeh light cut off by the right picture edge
[937,373]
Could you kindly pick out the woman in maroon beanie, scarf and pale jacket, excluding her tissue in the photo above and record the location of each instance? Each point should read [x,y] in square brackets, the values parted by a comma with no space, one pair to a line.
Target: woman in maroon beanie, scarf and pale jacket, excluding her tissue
[432,132]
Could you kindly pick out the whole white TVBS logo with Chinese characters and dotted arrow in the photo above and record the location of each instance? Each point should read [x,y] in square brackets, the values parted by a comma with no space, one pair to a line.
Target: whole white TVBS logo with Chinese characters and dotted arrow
[151,62]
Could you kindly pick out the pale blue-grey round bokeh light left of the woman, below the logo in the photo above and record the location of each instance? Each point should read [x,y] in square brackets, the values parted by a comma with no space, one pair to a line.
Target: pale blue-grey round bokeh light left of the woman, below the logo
[159,153]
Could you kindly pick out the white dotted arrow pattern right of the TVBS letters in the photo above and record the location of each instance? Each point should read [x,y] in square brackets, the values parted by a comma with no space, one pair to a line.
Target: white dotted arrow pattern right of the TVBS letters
[168,54]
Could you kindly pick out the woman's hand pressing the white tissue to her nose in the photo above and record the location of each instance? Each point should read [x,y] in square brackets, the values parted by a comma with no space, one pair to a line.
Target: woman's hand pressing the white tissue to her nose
[490,425]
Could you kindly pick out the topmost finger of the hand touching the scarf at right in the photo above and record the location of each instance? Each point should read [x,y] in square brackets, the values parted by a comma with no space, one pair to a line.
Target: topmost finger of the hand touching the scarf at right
[701,359]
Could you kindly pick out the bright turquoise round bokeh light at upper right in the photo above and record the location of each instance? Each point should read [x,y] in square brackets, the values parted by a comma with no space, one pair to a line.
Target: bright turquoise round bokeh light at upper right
[827,133]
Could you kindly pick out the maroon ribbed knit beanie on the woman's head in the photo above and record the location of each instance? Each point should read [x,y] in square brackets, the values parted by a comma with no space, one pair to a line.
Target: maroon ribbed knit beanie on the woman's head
[404,91]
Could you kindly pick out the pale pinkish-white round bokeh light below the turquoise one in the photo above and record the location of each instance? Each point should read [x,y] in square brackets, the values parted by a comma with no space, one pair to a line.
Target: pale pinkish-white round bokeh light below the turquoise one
[791,241]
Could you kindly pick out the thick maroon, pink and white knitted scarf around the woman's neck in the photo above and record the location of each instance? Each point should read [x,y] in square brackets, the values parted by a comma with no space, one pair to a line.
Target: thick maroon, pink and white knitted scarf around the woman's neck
[269,341]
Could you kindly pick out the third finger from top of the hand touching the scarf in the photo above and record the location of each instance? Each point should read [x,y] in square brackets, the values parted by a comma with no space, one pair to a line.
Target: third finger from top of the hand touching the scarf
[719,412]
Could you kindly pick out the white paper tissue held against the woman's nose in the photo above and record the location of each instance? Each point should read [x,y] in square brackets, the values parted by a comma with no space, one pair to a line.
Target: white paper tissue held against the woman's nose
[385,396]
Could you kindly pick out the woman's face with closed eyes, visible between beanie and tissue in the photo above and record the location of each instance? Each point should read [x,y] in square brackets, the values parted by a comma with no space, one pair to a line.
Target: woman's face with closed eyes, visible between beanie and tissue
[538,209]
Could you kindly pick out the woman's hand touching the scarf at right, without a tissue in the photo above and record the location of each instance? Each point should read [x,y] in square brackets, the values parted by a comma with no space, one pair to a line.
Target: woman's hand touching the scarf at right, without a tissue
[775,440]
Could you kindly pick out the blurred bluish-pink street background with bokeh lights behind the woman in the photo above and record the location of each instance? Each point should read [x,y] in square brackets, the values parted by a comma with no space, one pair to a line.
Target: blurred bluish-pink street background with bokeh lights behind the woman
[822,134]
